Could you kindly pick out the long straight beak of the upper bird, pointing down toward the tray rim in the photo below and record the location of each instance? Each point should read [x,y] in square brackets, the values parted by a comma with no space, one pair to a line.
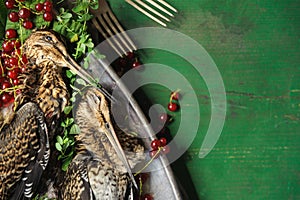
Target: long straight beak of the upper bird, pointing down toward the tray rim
[82,73]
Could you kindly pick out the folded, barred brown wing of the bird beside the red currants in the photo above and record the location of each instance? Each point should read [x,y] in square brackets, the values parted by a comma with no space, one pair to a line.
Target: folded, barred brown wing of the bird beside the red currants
[24,152]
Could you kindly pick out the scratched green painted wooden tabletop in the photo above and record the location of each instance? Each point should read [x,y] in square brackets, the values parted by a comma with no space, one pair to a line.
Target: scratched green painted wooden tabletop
[256,46]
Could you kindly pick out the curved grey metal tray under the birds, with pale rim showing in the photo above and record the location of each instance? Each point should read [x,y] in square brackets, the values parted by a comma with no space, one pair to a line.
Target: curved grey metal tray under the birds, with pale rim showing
[161,184]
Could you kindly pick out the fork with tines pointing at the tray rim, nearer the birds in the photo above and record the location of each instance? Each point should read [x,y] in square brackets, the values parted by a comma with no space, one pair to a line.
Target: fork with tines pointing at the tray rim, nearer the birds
[108,25]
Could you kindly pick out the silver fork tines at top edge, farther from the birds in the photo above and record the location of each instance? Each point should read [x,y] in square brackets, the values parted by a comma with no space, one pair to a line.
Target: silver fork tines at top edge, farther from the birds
[152,7]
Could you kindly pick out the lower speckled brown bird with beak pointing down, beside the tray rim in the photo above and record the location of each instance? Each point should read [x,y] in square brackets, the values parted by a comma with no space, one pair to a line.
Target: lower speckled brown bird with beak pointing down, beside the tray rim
[98,171]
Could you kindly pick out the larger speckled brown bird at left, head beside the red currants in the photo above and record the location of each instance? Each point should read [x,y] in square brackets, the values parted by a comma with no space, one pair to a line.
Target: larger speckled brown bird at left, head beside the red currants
[23,135]
